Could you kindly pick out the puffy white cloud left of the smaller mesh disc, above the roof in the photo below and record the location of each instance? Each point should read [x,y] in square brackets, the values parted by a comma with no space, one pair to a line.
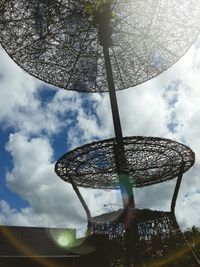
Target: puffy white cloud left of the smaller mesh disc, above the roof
[33,179]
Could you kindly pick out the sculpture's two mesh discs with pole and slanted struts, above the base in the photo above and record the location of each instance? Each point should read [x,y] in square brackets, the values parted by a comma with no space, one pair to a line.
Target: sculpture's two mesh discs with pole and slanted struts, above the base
[98,46]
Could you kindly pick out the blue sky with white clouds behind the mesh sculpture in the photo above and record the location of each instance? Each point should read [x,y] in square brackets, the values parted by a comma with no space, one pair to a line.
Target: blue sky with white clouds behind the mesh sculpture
[39,123]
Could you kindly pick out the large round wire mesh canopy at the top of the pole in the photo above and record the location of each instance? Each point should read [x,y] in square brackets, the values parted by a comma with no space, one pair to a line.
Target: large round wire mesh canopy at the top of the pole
[58,41]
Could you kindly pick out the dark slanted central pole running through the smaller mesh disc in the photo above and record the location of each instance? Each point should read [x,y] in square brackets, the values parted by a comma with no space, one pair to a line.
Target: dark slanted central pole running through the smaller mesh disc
[125,185]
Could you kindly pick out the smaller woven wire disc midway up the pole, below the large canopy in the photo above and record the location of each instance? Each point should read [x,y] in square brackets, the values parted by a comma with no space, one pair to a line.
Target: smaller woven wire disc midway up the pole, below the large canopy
[146,160]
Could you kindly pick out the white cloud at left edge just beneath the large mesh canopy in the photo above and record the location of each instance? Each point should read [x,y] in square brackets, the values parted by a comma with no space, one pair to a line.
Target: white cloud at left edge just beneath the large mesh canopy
[16,88]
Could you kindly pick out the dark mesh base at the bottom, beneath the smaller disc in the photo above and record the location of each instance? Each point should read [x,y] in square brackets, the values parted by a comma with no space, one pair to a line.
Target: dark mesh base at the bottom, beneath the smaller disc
[151,235]
